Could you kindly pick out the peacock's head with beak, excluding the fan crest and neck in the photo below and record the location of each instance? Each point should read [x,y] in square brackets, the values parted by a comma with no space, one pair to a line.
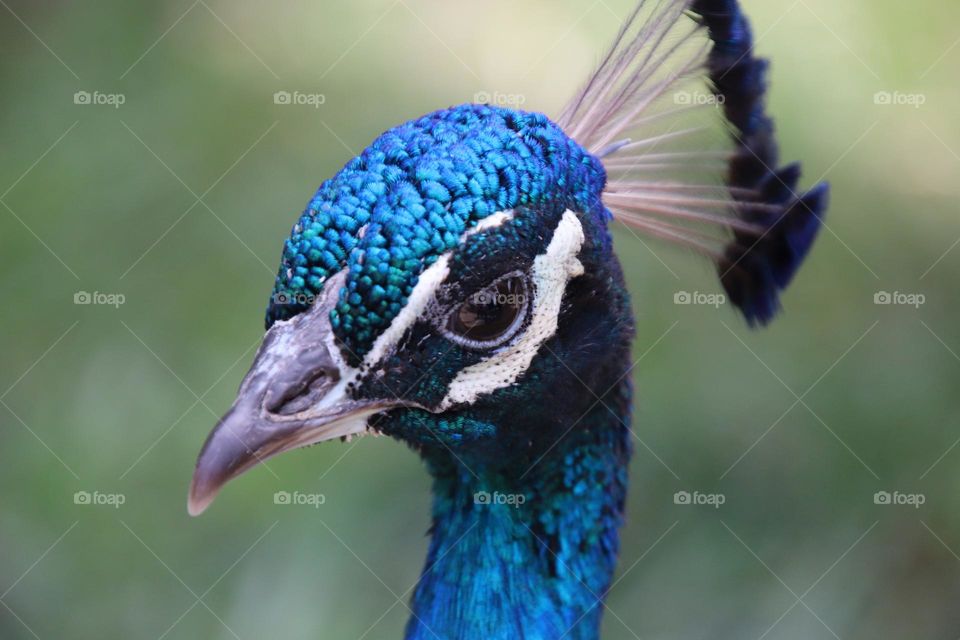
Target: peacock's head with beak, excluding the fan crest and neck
[458,267]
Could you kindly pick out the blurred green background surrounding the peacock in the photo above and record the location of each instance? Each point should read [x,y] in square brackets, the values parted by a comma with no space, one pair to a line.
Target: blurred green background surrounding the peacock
[179,200]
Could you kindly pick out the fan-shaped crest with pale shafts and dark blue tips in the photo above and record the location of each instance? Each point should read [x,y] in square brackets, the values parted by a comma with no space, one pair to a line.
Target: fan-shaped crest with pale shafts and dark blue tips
[677,71]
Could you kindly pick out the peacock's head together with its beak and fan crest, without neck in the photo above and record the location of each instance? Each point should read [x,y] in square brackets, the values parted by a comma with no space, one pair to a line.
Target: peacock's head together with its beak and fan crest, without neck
[455,286]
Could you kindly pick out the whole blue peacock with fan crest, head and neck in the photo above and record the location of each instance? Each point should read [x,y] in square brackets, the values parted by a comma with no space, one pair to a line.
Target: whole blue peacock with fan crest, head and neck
[455,287]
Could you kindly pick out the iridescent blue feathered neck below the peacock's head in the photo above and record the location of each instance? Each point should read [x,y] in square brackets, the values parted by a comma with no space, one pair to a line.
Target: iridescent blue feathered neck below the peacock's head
[537,570]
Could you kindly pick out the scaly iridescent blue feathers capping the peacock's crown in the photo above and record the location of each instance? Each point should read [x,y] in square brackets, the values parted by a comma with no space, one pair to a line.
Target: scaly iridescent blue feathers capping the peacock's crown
[392,210]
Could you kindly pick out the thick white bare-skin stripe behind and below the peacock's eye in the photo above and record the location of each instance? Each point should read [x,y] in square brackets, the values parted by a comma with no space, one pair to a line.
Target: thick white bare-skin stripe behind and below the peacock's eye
[551,272]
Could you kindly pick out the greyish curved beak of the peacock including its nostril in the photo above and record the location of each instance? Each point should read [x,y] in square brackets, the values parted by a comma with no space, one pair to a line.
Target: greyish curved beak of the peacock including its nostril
[295,394]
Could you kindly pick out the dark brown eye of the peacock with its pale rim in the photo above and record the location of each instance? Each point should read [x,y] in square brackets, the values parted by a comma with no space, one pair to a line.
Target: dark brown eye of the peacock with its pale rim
[490,316]
